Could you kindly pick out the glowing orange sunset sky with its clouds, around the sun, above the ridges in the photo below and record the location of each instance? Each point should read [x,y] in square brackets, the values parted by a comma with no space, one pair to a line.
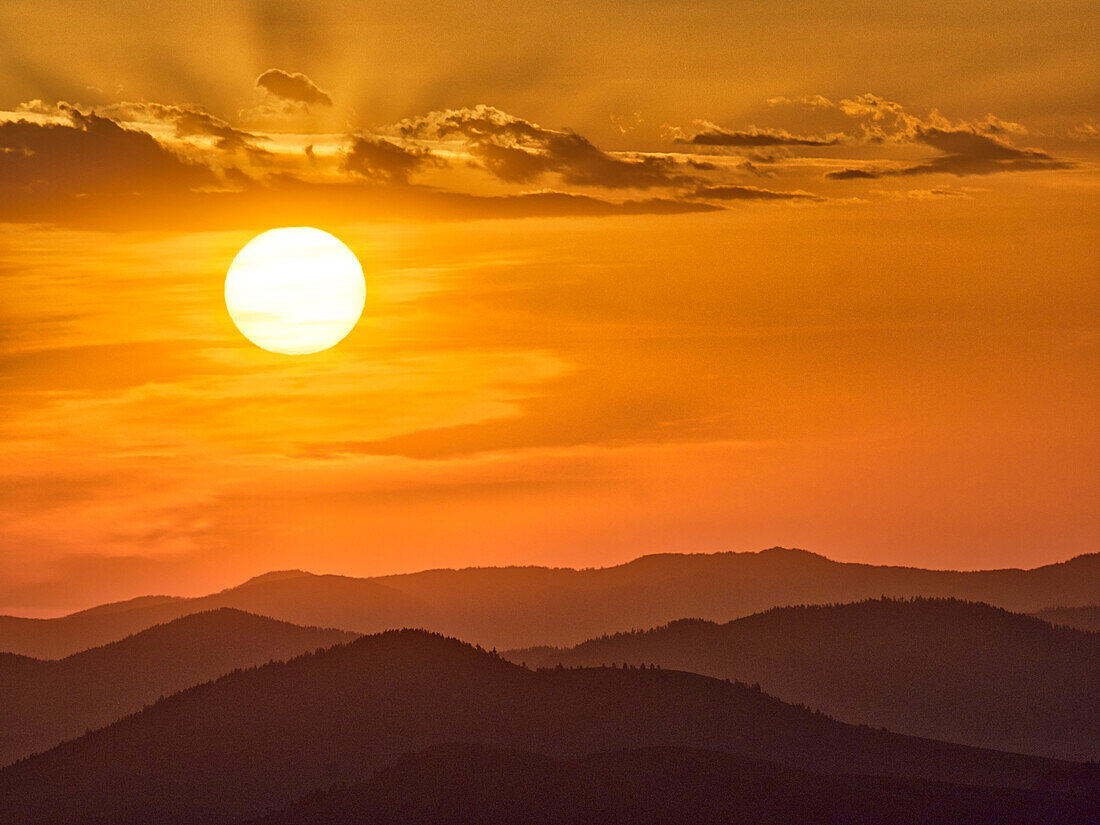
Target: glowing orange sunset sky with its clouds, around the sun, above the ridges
[642,278]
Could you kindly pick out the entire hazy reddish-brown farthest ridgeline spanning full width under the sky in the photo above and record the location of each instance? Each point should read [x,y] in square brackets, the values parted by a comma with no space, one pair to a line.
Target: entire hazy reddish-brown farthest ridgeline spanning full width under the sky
[511,608]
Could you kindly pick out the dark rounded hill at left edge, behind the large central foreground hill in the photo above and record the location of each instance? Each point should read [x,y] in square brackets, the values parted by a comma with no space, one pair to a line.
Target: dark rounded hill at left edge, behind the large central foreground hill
[47,702]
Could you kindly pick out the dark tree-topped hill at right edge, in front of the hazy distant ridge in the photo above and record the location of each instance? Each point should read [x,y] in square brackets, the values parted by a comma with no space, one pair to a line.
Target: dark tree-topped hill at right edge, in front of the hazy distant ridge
[938,668]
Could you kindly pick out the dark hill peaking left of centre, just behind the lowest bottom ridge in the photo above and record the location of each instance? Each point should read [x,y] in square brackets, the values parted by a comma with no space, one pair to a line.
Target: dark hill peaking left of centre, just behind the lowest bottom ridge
[256,741]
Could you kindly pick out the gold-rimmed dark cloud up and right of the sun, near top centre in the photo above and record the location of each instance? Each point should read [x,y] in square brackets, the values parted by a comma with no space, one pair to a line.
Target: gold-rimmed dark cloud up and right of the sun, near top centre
[519,151]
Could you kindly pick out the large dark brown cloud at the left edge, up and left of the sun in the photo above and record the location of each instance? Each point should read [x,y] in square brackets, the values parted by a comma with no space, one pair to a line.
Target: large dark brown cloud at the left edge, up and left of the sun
[90,155]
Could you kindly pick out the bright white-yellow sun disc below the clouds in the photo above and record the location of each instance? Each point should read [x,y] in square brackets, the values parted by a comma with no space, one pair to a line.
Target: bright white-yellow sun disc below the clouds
[295,291]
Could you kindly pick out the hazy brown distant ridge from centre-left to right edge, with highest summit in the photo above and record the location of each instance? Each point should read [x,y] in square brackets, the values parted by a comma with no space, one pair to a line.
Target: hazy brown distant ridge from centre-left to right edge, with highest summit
[498,606]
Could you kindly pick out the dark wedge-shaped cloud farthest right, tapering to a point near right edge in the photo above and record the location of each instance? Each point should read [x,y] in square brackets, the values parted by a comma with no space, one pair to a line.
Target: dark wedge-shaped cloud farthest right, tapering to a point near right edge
[964,152]
